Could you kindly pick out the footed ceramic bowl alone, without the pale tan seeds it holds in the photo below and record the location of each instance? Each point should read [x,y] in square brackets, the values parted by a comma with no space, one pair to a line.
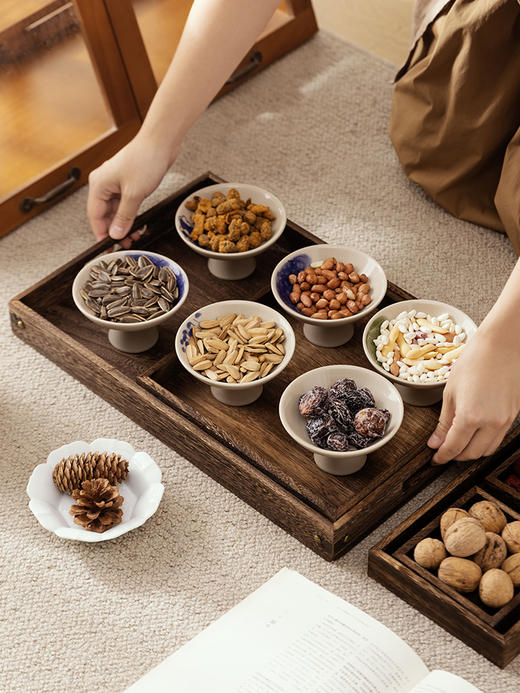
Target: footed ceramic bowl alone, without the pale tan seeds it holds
[234,394]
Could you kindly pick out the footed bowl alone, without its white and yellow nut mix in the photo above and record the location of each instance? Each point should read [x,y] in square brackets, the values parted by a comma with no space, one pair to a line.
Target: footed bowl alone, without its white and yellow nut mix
[416,393]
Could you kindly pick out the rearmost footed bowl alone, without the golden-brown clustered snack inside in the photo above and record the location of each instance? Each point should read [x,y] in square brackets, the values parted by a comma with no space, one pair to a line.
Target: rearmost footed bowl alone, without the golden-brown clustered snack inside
[232,265]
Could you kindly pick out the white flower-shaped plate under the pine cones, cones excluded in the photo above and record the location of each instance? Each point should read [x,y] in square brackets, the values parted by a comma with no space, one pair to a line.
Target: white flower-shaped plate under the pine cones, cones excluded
[142,491]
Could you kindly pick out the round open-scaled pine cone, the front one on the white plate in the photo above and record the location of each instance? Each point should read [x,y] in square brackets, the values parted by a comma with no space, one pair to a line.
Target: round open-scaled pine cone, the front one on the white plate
[98,505]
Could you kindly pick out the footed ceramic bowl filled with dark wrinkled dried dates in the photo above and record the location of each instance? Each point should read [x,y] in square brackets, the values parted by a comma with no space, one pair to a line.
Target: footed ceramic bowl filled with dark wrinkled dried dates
[341,414]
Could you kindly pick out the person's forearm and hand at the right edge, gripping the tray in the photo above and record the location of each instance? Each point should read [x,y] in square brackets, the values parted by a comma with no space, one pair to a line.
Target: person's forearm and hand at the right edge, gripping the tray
[482,395]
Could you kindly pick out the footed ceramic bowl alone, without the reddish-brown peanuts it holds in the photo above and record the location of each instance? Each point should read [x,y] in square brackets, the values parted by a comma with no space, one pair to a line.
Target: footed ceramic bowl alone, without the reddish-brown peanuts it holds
[327,333]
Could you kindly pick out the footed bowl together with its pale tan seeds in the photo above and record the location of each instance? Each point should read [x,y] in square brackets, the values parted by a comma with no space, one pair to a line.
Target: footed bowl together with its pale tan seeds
[235,347]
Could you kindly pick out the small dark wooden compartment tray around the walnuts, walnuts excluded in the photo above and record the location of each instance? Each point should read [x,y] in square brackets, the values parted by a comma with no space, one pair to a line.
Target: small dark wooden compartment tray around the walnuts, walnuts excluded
[494,633]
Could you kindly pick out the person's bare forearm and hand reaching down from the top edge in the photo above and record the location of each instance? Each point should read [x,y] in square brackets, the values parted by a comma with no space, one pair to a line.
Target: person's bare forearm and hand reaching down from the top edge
[217,35]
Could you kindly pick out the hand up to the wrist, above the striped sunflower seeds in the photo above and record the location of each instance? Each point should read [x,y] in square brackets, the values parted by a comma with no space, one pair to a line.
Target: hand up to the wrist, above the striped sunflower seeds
[118,187]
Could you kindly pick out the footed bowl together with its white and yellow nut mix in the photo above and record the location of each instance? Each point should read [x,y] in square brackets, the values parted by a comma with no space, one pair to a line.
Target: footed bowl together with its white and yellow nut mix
[415,344]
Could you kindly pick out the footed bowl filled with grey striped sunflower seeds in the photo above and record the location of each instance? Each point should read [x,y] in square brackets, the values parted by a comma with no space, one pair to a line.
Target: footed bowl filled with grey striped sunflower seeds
[130,293]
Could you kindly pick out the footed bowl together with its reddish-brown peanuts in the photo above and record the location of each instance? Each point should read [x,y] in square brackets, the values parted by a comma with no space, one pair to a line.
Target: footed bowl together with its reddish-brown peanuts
[328,288]
